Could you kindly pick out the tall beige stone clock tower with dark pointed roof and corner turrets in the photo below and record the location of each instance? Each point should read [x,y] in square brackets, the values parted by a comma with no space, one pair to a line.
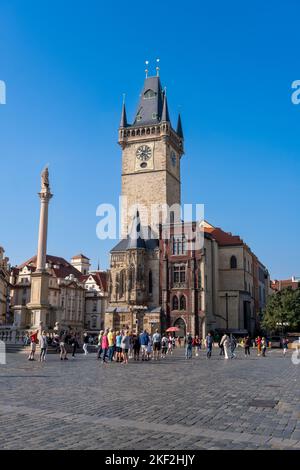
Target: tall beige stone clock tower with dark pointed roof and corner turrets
[151,153]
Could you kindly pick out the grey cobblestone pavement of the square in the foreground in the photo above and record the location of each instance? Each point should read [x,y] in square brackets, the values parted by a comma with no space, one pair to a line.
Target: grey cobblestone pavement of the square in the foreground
[244,403]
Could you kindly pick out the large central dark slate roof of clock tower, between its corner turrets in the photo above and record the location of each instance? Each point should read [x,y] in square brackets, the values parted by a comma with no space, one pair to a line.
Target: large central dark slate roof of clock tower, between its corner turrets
[150,105]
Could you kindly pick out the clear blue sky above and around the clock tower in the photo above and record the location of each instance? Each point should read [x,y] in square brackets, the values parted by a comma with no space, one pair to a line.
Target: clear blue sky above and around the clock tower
[228,66]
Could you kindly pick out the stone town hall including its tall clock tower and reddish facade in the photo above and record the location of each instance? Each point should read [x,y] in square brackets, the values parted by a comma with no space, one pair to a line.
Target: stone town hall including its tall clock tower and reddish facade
[161,281]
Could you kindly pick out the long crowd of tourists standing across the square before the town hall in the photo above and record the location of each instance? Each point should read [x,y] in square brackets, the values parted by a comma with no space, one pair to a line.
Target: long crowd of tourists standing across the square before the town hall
[120,346]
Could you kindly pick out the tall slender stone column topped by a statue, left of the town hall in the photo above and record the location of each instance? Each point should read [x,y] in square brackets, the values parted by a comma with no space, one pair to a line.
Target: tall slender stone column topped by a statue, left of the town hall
[39,301]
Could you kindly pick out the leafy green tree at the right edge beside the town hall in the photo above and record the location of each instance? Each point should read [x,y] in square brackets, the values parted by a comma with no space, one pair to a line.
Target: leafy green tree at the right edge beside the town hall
[282,307]
